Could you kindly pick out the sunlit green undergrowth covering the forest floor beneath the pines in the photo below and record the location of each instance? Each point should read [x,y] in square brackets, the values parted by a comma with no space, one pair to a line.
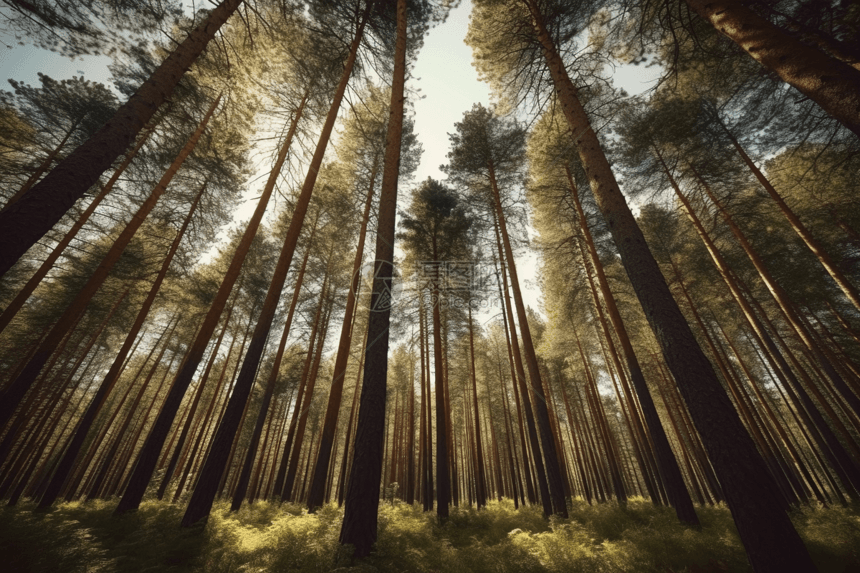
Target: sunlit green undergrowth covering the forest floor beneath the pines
[79,537]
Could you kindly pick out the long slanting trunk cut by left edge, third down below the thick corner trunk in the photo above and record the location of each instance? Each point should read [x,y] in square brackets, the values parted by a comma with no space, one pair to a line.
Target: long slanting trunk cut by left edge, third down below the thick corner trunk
[16,390]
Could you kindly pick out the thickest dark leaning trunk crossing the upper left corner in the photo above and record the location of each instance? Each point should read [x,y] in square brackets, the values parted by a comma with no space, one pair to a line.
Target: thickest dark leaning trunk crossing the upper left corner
[25,222]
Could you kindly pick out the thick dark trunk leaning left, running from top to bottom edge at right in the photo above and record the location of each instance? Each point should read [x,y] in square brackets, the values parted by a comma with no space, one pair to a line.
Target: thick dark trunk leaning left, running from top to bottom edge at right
[771,542]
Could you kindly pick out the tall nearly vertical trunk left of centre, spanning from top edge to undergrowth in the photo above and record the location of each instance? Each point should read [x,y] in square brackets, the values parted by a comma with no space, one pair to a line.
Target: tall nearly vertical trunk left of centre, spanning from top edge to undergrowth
[362,498]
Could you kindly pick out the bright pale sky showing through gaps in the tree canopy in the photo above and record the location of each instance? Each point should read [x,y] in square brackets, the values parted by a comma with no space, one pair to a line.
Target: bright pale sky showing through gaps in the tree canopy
[443,72]
